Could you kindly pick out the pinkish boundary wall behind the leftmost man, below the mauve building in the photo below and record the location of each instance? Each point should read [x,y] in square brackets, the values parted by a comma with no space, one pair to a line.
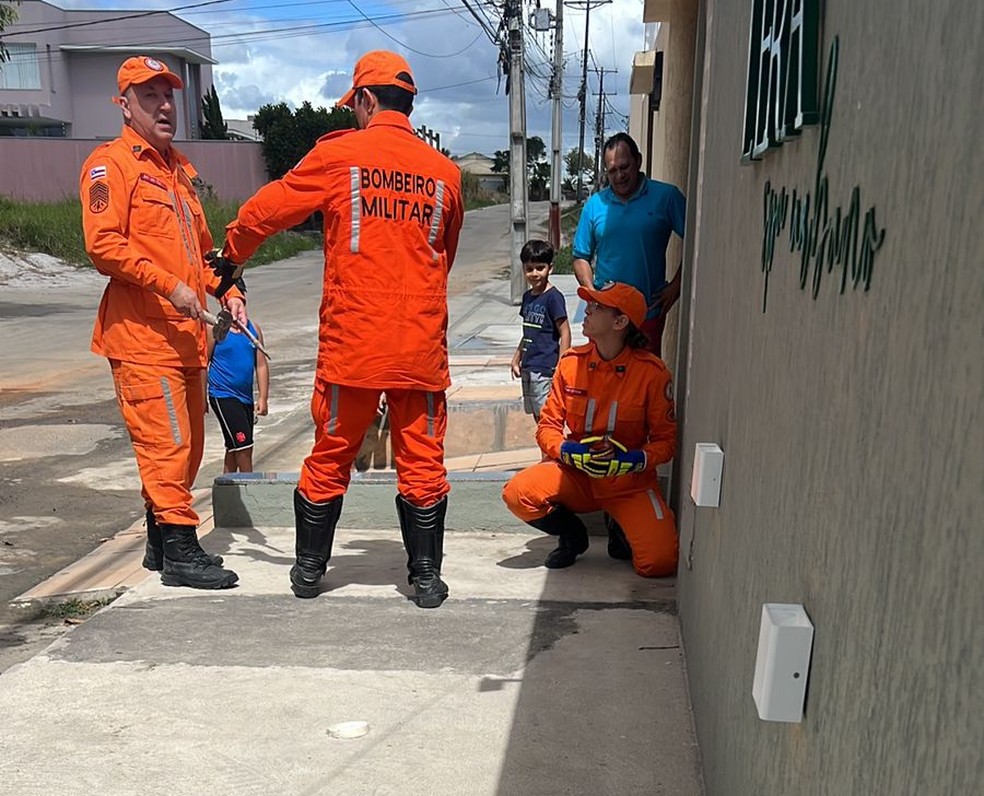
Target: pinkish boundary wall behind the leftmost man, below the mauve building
[47,169]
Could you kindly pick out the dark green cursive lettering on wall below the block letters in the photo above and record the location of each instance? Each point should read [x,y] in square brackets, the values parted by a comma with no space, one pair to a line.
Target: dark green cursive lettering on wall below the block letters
[827,240]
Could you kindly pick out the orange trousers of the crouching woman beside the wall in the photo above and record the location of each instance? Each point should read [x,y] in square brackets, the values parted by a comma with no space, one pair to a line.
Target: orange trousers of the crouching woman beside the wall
[643,514]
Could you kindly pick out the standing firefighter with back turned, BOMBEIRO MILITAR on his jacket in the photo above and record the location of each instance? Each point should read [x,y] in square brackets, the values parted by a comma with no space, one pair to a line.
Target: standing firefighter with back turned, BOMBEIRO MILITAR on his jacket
[393,210]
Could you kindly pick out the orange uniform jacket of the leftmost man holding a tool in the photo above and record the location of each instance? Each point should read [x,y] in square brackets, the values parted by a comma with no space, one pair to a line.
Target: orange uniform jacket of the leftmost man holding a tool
[145,229]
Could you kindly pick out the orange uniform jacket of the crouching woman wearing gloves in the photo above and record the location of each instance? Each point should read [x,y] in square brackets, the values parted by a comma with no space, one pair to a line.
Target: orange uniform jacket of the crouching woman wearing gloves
[629,398]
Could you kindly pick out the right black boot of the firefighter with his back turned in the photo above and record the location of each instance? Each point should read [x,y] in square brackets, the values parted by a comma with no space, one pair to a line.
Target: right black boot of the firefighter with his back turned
[423,536]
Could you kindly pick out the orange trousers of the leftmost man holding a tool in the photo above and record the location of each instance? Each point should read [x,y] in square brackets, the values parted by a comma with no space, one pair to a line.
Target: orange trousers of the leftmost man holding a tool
[164,411]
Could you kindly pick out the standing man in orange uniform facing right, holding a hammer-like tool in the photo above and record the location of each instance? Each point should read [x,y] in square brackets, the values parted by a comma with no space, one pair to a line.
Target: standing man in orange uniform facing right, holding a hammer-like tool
[145,229]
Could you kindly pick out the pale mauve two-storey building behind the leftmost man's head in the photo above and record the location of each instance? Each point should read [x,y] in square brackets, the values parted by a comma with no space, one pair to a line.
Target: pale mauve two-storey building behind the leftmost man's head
[62,69]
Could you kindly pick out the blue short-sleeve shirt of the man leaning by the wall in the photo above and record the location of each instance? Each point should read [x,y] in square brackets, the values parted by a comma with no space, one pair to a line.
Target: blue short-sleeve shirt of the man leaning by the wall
[627,240]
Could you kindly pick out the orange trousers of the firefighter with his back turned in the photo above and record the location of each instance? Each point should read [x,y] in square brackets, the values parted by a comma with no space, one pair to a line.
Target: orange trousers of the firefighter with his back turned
[418,422]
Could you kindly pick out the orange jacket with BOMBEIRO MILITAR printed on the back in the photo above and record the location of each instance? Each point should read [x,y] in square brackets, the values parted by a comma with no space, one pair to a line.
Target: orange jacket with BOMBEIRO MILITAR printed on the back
[393,209]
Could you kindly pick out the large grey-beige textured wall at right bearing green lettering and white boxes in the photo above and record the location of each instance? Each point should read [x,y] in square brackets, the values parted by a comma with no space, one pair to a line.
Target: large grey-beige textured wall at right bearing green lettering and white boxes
[852,425]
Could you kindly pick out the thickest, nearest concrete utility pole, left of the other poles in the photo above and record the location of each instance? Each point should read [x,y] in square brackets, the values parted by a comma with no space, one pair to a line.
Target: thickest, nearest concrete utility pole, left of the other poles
[519,203]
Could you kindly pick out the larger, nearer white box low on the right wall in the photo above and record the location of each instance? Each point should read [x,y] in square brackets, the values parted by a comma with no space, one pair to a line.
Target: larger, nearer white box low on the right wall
[782,665]
